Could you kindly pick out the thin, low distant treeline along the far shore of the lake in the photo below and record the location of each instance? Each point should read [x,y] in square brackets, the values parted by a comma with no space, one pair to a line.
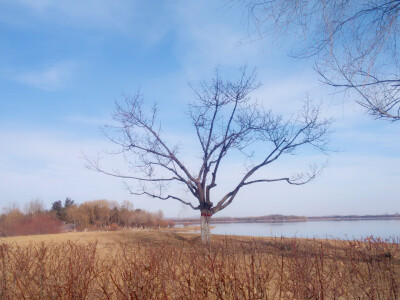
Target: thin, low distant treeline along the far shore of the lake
[291,218]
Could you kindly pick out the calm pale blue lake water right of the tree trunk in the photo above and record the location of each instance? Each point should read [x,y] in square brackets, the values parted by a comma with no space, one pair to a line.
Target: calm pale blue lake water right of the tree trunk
[314,229]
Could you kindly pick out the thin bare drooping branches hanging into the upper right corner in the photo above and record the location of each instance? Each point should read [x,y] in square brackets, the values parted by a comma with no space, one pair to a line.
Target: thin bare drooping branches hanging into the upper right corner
[354,43]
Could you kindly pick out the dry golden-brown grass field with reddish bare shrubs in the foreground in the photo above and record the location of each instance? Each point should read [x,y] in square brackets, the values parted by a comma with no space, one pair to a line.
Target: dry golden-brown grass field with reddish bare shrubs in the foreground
[171,265]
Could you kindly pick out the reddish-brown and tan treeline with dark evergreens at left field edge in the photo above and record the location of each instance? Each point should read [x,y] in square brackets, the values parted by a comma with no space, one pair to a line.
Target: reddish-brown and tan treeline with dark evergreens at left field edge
[91,215]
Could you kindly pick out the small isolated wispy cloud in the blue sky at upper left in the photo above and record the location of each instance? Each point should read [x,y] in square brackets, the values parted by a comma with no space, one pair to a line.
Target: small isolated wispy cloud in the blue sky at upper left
[48,78]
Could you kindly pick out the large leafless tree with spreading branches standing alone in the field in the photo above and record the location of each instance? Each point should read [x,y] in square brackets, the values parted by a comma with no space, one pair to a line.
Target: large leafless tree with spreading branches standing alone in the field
[224,119]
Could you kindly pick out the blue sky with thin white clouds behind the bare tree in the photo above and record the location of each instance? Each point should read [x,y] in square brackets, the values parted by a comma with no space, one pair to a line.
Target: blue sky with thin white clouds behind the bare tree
[64,63]
